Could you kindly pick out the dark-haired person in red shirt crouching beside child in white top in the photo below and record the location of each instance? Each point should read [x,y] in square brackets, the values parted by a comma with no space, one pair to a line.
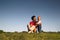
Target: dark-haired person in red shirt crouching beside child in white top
[32,25]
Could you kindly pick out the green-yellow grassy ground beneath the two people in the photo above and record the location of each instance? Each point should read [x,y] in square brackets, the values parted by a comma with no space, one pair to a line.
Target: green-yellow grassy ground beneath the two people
[27,36]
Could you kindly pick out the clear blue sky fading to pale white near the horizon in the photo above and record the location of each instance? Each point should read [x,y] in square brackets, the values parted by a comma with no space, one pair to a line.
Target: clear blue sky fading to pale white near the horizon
[16,14]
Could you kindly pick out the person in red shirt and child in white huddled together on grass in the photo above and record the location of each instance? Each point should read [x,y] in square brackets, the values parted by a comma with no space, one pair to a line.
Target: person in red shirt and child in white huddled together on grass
[34,25]
